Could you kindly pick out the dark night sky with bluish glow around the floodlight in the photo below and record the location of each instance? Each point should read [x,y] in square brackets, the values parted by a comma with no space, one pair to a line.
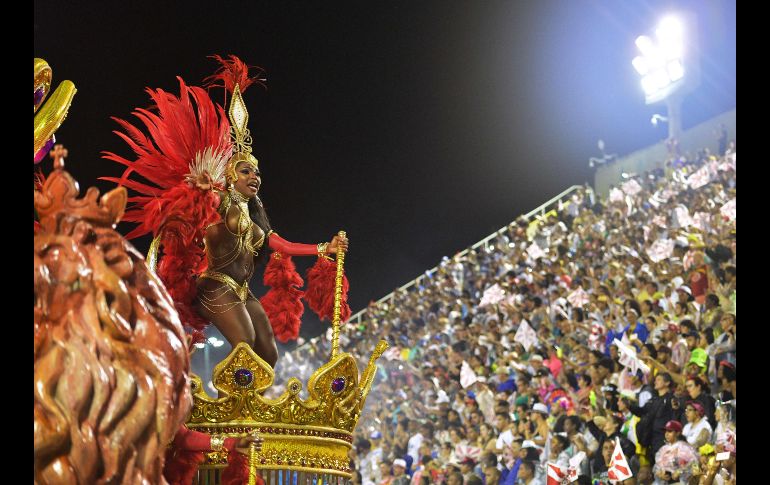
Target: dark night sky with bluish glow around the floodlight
[418,127]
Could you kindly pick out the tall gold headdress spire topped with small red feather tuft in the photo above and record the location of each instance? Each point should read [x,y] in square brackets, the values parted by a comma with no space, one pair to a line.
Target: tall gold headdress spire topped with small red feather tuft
[234,77]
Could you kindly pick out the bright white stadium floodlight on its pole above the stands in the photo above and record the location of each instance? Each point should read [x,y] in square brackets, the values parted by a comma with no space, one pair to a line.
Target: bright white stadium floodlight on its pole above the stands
[669,65]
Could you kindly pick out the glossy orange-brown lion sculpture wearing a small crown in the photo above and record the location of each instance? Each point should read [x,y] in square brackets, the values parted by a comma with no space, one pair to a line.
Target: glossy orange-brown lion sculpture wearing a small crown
[111,361]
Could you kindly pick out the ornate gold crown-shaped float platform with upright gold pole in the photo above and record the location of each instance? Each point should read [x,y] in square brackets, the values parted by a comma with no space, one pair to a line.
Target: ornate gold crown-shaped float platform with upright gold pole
[307,437]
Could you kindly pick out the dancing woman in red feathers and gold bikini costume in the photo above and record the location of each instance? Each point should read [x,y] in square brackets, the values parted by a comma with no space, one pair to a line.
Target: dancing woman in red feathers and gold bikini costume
[204,212]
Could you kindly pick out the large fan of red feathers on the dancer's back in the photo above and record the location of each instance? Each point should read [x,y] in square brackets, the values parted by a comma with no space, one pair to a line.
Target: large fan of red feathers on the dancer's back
[180,130]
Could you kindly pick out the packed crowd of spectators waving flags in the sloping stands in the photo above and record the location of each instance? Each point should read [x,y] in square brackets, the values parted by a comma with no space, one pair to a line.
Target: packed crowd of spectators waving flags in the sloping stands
[601,326]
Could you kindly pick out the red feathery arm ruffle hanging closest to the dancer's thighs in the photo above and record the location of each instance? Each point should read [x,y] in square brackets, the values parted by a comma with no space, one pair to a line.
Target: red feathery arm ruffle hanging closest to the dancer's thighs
[283,303]
